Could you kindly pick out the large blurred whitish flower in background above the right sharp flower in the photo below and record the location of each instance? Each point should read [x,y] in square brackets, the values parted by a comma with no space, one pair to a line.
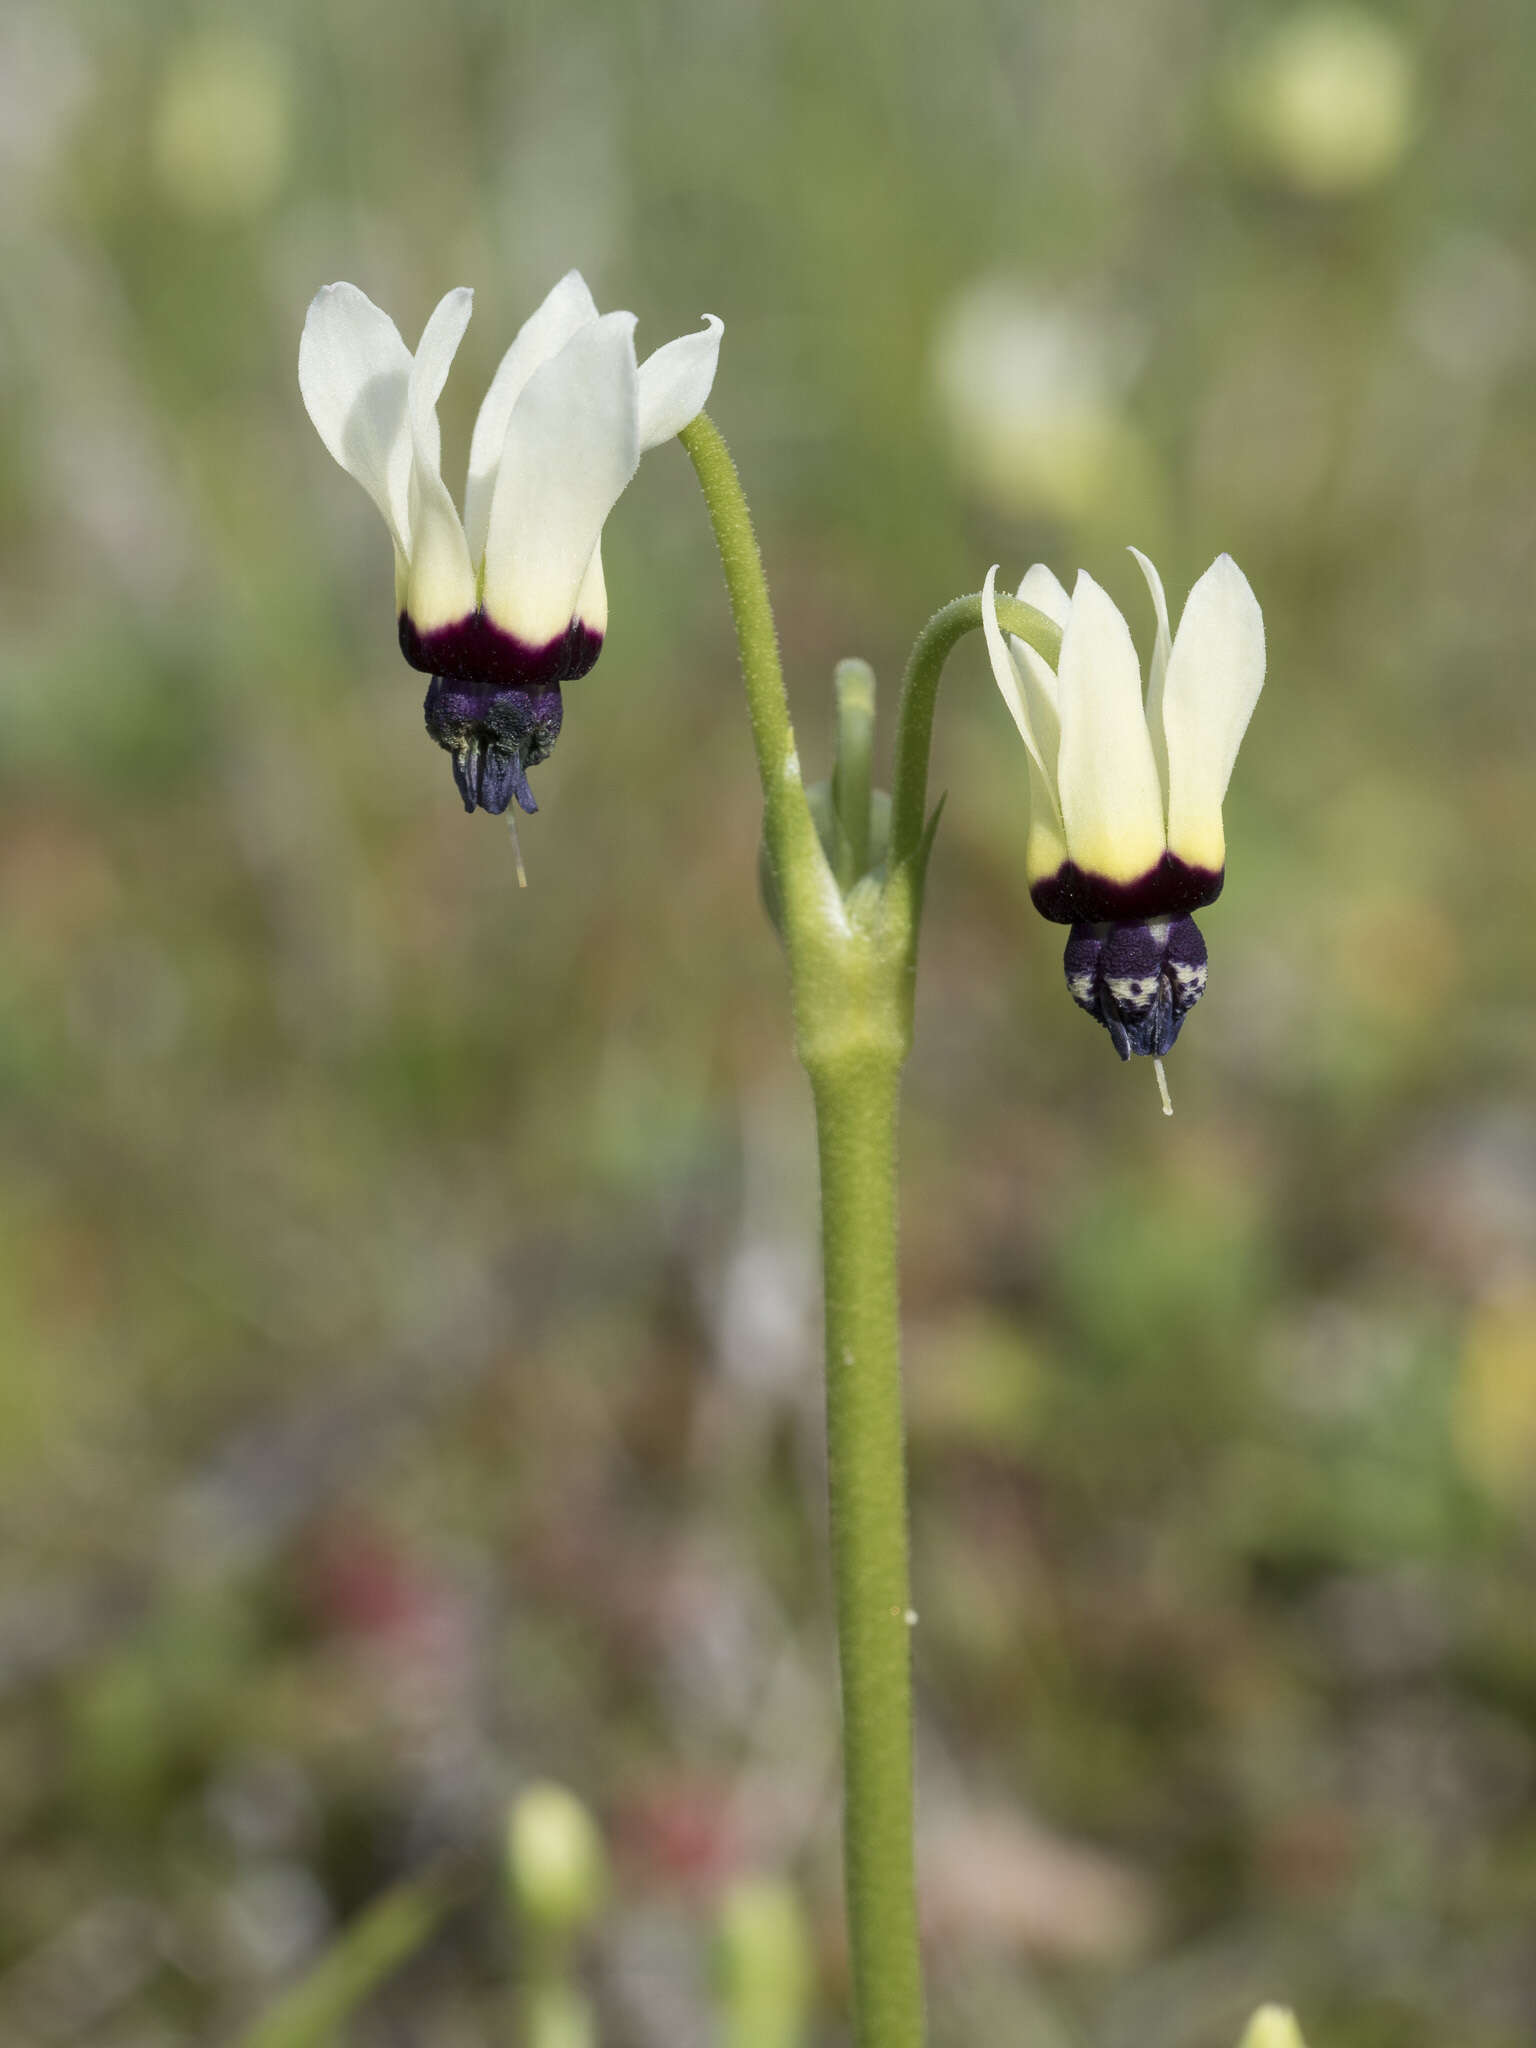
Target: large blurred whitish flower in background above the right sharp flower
[1033,398]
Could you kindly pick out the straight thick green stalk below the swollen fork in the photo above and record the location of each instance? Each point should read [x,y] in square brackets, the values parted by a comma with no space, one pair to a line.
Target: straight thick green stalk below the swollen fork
[857,1121]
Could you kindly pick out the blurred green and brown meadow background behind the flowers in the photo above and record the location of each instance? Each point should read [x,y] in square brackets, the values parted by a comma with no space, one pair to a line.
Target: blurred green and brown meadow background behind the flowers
[407,1283]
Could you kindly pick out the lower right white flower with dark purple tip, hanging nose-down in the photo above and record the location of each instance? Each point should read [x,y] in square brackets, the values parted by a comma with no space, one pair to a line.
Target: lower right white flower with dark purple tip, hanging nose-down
[1125,792]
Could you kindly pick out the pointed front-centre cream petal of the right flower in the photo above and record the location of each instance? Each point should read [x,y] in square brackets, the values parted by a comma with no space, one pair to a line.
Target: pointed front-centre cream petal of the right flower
[1107,775]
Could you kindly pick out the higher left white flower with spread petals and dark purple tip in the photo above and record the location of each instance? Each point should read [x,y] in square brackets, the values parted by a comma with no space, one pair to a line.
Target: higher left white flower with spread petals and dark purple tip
[509,603]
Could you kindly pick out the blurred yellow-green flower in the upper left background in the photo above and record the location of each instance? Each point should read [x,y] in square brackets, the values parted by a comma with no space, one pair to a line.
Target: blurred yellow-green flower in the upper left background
[220,134]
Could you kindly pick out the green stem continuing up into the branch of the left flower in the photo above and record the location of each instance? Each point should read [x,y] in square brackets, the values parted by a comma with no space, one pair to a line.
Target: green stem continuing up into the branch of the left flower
[851,1015]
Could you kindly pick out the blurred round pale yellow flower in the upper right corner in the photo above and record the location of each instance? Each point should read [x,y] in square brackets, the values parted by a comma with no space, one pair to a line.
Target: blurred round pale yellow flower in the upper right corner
[1324,101]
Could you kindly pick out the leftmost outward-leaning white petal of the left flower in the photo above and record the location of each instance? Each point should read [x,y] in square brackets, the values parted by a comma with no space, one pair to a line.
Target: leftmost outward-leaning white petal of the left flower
[353,376]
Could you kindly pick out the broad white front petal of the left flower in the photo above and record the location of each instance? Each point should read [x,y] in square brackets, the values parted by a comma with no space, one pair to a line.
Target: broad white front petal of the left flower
[570,450]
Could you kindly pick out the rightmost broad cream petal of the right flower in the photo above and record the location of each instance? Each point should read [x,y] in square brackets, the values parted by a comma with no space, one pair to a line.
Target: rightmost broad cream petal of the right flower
[1215,675]
